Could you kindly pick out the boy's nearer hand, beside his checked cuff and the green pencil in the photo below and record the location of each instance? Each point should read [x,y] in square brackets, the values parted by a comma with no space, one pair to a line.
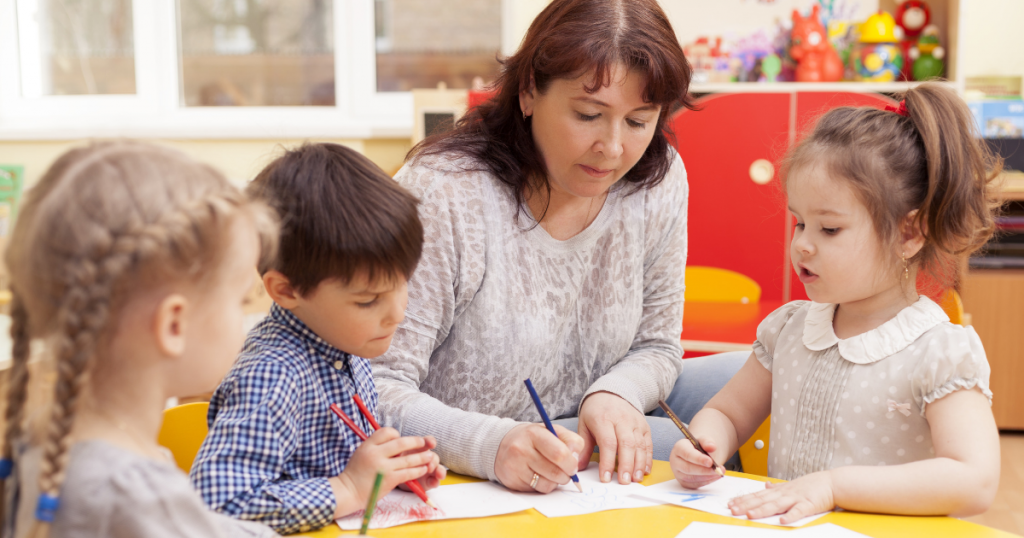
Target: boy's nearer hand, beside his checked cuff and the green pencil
[401,460]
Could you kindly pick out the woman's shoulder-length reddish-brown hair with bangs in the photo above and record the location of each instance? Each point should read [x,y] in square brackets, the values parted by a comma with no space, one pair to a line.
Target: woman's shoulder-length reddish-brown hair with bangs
[569,39]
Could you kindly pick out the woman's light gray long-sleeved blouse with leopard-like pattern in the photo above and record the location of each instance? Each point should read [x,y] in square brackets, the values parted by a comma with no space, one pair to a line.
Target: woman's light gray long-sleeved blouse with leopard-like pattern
[496,301]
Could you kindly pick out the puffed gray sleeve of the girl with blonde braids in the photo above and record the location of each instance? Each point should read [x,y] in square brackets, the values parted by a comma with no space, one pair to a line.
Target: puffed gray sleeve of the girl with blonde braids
[158,503]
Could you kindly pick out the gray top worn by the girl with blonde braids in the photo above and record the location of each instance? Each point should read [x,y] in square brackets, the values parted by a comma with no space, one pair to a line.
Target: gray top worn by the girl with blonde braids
[110,492]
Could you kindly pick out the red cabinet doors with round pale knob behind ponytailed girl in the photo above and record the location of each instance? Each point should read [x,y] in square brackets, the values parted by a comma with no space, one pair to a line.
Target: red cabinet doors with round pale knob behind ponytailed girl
[736,223]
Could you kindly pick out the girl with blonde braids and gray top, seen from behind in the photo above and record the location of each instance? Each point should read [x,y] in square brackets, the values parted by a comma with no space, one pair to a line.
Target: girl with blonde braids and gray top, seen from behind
[132,263]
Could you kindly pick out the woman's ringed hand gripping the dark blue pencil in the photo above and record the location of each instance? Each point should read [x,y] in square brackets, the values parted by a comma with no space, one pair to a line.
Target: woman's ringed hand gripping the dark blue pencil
[530,449]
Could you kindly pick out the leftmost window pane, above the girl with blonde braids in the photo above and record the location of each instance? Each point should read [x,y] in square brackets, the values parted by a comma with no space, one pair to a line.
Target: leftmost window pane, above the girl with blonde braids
[76,48]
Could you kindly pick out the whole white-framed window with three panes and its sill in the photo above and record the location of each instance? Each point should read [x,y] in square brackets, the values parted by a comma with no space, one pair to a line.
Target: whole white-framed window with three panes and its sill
[239,69]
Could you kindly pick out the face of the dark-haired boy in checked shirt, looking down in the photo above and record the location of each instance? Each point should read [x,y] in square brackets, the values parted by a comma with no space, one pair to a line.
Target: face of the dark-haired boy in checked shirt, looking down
[360,317]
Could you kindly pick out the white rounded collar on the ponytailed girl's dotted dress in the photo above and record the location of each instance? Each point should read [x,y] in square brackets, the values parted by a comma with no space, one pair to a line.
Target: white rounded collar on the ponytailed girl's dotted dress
[886,340]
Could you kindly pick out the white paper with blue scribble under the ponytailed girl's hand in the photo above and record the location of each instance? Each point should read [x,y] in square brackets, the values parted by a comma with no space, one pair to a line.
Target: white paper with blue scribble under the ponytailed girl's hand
[714,499]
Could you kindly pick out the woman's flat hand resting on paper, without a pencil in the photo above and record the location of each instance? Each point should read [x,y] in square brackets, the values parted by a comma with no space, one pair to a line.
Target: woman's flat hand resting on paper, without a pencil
[617,429]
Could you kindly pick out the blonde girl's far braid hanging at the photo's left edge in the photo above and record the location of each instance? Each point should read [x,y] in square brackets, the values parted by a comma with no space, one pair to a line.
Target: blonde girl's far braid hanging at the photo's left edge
[18,389]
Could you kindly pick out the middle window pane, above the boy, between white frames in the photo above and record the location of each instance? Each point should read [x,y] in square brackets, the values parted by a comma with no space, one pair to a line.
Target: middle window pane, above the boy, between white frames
[258,54]
